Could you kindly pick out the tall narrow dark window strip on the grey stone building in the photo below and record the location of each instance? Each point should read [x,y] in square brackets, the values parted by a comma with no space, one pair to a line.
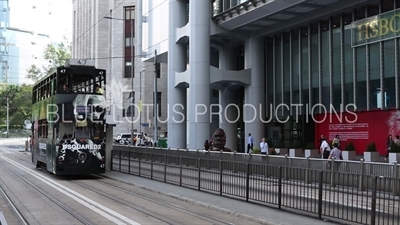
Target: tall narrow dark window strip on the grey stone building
[129,35]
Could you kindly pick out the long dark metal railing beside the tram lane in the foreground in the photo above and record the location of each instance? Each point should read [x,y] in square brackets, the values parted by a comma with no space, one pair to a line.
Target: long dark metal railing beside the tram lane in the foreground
[359,198]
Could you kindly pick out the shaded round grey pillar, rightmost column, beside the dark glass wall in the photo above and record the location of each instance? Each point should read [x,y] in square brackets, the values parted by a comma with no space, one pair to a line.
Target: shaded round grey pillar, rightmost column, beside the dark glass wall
[254,94]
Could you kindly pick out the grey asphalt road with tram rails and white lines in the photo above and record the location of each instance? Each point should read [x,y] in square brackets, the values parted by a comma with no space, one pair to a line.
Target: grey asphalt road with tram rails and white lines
[119,197]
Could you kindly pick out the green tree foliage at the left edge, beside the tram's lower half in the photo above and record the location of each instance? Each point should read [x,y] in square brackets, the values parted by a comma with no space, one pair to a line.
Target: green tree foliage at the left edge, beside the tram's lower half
[20,104]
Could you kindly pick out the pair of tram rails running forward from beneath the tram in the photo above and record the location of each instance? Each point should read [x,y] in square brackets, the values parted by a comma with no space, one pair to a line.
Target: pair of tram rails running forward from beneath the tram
[152,199]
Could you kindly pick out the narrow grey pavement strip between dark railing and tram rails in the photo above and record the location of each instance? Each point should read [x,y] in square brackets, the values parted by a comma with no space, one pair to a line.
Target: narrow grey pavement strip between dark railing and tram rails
[253,212]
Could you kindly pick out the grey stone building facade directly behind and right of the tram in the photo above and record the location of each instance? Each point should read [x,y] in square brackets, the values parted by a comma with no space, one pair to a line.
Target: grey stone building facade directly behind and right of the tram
[102,31]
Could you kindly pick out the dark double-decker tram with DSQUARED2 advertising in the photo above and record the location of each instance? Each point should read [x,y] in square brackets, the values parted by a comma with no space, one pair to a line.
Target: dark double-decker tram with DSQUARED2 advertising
[68,120]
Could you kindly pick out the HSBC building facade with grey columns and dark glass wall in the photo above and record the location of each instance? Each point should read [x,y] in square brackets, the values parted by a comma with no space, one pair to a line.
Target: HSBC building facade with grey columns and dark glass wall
[276,65]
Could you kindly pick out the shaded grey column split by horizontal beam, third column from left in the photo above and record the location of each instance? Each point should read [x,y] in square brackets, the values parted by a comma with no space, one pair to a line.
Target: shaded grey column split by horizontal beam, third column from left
[228,100]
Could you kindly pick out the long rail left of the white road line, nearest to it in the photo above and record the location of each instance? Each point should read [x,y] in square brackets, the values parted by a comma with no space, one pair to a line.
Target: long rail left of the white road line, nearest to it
[53,199]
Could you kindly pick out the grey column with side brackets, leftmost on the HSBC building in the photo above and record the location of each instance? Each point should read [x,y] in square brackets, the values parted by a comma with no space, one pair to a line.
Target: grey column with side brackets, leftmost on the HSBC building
[176,63]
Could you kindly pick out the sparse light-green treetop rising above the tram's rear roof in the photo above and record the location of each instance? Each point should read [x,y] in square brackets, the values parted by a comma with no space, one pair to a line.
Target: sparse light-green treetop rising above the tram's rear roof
[56,54]
